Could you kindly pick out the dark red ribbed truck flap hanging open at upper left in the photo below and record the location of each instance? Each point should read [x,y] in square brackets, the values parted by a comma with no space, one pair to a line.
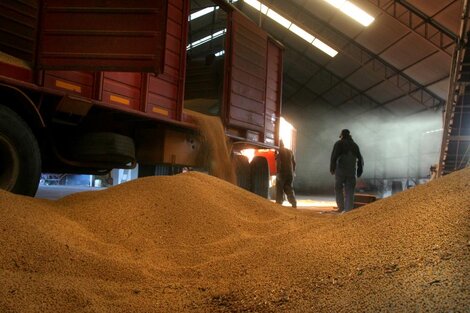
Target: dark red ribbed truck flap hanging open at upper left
[94,35]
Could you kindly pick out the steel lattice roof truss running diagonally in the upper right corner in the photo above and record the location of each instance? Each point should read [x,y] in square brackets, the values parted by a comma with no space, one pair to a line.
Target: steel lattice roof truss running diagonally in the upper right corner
[419,23]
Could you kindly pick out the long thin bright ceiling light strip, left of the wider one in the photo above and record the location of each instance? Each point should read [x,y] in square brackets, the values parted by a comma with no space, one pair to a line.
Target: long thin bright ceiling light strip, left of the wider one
[292,27]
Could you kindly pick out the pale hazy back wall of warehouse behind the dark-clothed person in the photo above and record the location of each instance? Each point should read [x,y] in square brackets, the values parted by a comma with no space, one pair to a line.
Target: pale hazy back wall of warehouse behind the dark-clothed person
[394,147]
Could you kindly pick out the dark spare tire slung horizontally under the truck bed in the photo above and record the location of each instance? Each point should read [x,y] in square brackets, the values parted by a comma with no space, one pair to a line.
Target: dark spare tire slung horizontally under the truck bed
[104,147]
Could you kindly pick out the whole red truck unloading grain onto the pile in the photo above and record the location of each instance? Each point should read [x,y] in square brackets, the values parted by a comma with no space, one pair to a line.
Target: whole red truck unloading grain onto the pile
[91,85]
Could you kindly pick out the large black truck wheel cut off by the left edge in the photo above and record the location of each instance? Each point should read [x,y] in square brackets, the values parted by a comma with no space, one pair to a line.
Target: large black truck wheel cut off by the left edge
[20,157]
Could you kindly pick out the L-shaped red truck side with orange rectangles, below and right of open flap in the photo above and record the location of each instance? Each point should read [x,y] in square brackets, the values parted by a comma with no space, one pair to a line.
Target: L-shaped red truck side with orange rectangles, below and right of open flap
[158,95]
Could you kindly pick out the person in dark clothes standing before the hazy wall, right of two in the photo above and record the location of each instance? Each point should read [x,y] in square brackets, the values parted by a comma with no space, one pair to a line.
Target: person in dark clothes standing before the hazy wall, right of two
[344,157]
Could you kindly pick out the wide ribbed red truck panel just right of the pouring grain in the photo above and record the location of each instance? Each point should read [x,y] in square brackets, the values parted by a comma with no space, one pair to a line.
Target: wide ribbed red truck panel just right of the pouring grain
[248,52]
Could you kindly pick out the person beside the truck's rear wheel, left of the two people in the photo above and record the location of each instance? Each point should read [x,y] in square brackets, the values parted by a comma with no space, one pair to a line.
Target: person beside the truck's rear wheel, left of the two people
[285,175]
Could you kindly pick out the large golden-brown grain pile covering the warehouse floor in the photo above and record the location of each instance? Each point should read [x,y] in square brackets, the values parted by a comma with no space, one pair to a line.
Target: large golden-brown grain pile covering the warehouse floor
[195,243]
